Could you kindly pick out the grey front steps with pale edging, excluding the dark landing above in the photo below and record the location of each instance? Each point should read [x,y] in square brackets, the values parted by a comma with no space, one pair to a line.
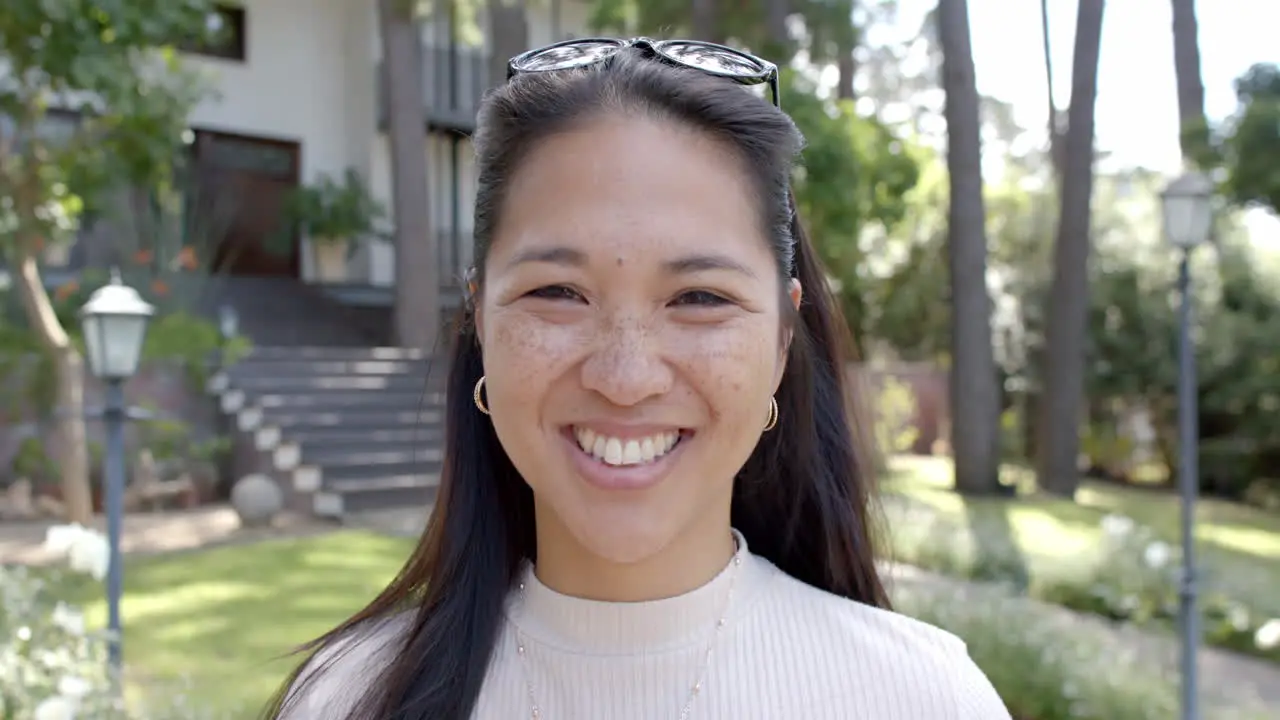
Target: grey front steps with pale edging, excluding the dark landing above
[344,430]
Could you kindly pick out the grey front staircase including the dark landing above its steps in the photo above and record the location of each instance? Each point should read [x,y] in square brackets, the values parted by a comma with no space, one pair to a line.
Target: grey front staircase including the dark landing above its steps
[344,425]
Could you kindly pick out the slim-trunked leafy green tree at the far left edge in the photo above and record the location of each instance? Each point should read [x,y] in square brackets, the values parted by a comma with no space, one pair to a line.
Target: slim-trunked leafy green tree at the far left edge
[109,74]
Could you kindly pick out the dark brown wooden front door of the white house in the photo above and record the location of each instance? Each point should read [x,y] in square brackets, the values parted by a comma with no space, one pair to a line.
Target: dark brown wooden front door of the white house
[244,185]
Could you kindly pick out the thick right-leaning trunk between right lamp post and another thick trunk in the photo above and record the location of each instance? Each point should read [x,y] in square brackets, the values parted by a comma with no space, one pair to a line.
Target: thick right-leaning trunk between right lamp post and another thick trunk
[1068,302]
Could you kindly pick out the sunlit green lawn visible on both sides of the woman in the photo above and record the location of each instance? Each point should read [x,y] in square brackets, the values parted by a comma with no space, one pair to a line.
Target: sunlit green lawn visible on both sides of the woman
[221,618]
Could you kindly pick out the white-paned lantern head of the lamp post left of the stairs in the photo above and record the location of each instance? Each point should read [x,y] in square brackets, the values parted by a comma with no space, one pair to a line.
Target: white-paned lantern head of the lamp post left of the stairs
[115,322]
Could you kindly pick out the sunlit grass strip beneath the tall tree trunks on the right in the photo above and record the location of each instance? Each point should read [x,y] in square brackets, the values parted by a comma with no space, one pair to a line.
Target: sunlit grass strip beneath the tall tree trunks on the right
[1240,545]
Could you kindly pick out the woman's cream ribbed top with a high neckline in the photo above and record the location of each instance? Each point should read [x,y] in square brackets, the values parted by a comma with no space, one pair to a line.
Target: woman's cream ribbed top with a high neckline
[788,651]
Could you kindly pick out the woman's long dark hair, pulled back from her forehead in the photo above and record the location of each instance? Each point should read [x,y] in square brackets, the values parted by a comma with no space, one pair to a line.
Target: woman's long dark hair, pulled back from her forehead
[802,500]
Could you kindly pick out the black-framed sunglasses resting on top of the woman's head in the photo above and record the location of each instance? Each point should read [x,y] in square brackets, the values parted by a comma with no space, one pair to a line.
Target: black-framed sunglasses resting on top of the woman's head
[708,58]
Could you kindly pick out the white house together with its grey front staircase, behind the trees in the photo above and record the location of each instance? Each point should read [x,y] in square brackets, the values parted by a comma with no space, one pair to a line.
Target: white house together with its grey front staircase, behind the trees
[322,405]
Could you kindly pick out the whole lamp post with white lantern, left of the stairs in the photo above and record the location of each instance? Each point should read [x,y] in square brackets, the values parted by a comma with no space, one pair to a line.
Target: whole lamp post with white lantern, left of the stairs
[115,322]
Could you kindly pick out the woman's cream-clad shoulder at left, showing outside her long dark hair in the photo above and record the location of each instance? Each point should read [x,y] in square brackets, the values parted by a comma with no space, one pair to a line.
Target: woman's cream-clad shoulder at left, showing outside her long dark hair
[337,677]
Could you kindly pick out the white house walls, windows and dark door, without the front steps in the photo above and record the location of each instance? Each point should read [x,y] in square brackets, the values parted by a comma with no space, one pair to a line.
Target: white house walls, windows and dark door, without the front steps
[298,94]
